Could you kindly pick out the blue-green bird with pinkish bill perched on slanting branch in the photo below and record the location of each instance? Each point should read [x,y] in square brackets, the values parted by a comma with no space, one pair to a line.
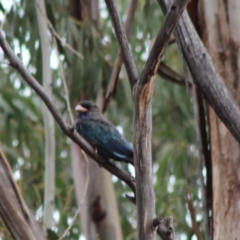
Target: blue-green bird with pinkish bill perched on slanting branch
[101,134]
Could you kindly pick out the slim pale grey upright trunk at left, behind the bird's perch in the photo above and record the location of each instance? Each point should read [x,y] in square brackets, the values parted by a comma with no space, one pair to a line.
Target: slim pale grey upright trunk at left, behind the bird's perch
[49,174]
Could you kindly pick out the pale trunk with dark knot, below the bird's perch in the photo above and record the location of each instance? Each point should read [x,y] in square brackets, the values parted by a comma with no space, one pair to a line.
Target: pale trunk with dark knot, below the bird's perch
[99,213]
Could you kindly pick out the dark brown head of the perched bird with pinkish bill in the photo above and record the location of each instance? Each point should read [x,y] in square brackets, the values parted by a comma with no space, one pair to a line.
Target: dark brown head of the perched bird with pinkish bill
[87,109]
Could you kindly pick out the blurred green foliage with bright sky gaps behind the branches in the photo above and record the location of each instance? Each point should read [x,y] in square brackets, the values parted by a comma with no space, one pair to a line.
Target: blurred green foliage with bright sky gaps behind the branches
[175,163]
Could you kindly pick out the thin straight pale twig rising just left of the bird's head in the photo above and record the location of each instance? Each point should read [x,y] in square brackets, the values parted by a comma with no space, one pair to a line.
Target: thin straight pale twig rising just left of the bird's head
[64,83]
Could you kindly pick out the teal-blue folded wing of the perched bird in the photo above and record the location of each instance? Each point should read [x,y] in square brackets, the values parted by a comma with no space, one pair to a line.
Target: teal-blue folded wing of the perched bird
[106,138]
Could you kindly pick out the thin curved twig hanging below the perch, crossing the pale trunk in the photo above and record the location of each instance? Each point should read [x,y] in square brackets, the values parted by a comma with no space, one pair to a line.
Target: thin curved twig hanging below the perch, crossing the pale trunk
[82,200]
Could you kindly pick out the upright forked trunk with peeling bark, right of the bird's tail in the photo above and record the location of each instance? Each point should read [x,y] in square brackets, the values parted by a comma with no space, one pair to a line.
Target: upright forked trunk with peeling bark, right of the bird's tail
[142,93]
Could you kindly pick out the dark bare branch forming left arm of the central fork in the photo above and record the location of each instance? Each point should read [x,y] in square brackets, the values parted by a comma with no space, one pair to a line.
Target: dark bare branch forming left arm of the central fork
[122,40]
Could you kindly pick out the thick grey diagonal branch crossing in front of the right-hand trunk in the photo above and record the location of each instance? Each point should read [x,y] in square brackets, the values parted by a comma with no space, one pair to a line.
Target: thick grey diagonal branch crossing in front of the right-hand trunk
[204,73]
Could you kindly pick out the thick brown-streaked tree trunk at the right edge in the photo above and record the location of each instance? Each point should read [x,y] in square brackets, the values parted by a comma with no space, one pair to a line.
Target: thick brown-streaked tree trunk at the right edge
[220,24]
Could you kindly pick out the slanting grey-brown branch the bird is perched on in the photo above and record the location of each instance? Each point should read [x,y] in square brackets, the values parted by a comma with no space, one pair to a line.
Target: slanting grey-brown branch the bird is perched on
[16,63]
